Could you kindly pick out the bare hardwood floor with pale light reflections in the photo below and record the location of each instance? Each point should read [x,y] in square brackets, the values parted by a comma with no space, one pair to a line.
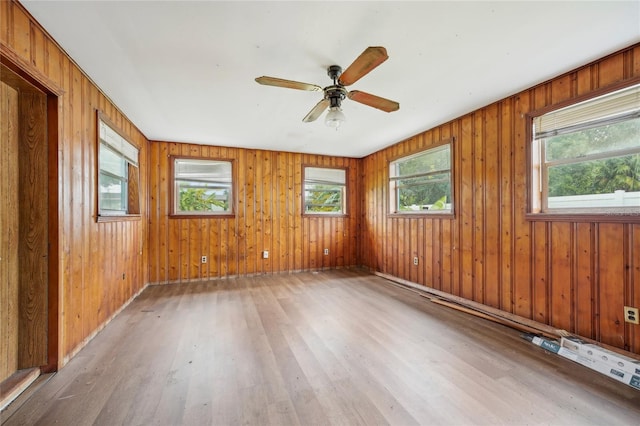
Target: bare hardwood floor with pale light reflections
[337,347]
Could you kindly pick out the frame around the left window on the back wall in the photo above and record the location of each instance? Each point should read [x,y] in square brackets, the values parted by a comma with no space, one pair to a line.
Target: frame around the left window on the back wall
[173,213]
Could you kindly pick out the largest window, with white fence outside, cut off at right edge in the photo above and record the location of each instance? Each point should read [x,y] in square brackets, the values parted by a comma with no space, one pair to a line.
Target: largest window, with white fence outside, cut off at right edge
[586,157]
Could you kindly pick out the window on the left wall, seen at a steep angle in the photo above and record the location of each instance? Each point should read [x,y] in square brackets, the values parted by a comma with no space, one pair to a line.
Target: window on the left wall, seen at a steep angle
[118,185]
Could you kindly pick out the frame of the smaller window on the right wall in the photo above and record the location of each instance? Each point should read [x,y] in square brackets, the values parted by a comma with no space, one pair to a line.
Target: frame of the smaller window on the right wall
[392,202]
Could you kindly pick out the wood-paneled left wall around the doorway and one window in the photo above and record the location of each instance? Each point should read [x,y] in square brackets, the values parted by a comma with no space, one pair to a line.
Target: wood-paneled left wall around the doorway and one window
[100,265]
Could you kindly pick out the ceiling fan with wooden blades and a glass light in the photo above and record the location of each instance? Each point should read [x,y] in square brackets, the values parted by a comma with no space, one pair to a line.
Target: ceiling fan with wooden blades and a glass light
[335,94]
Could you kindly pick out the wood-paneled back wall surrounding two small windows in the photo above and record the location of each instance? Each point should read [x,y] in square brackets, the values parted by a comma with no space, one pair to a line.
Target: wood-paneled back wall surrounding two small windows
[268,216]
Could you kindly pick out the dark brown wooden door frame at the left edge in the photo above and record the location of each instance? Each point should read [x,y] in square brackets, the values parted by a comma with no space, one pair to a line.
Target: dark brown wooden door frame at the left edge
[52,93]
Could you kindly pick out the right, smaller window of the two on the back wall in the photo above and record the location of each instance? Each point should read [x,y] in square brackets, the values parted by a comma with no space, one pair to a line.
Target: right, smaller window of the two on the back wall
[324,190]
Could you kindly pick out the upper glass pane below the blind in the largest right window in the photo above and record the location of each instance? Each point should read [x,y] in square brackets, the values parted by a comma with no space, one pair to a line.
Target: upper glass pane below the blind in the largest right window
[597,140]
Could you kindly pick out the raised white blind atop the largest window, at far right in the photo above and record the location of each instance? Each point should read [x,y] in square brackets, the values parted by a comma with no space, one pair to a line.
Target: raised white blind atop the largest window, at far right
[612,107]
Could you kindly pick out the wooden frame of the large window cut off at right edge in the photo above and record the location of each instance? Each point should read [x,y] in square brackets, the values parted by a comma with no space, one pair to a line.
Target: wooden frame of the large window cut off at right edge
[537,205]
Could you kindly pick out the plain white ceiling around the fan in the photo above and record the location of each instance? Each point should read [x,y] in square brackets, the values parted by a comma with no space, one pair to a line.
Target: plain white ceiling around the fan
[184,71]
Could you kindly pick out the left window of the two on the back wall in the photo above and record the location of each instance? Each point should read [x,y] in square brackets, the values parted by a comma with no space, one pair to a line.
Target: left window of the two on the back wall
[202,187]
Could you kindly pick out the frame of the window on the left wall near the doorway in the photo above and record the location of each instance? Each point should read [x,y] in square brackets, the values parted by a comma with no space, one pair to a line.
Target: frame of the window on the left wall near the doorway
[132,180]
